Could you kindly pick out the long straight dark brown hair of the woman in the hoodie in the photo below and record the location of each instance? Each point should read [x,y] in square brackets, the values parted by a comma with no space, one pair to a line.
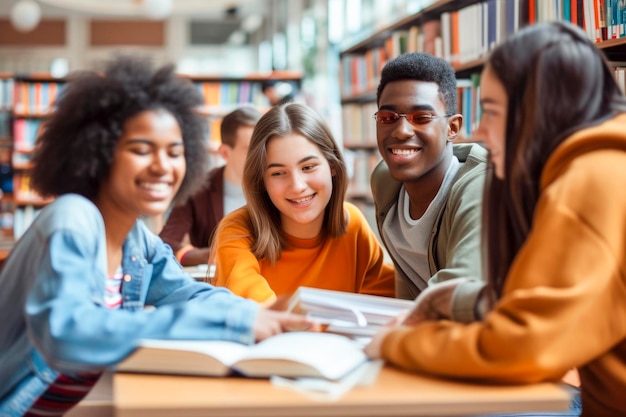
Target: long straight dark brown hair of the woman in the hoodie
[557,82]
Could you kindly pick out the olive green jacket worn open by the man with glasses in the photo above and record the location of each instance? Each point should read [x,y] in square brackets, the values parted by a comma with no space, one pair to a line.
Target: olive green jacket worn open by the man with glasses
[454,250]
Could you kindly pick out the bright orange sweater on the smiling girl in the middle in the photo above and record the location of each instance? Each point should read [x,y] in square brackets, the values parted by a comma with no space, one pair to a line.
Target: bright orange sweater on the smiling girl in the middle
[351,263]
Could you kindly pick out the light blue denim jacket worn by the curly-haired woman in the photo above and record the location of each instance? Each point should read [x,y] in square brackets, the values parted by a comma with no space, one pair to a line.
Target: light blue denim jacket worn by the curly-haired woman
[52,313]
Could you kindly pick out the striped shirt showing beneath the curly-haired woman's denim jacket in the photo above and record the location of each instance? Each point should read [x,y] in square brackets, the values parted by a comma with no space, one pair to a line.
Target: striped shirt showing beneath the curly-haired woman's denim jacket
[67,391]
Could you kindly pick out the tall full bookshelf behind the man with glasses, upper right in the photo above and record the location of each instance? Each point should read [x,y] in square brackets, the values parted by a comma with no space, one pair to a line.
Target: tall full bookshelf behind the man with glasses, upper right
[462,32]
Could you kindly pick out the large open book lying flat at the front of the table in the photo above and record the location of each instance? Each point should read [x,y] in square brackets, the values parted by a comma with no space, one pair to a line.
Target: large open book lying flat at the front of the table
[294,354]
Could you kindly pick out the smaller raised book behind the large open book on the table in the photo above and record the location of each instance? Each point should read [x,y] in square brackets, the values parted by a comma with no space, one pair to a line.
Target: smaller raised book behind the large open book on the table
[347,313]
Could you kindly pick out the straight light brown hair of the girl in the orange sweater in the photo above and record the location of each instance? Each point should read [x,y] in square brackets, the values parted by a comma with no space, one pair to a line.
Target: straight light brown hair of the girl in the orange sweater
[281,121]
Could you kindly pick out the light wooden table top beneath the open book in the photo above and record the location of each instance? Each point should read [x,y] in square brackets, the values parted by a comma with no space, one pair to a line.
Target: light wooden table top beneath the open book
[394,393]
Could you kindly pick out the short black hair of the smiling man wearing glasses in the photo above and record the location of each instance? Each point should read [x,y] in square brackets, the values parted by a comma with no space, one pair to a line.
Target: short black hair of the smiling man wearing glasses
[421,66]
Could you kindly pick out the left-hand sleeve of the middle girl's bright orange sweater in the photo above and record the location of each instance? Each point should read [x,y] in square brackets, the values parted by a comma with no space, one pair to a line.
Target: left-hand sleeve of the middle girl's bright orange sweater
[236,267]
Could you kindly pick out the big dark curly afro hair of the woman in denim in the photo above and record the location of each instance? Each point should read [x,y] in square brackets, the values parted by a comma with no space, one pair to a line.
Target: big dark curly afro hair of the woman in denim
[75,151]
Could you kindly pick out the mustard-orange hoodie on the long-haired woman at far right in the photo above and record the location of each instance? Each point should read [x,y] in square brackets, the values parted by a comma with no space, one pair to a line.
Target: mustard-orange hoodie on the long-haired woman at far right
[564,301]
